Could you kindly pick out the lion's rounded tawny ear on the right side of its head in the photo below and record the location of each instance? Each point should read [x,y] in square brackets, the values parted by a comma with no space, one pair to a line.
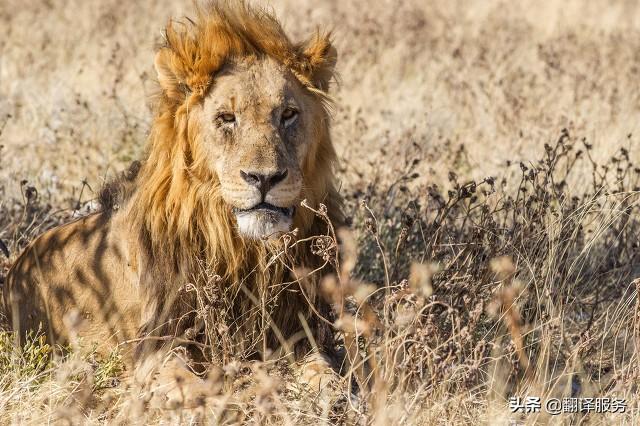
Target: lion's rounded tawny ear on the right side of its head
[321,58]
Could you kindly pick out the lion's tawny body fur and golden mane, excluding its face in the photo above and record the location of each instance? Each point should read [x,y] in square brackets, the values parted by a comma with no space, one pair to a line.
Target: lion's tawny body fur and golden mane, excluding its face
[166,225]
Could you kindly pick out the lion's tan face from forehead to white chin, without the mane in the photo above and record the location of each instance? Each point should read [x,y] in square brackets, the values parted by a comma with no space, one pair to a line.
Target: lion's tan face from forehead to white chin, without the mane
[256,131]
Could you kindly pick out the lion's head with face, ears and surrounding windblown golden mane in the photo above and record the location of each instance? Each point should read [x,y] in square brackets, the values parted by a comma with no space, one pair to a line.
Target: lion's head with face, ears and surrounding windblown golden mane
[241,134]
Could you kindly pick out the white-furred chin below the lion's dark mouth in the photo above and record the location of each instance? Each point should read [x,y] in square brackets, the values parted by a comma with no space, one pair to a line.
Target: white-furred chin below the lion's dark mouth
[257,223]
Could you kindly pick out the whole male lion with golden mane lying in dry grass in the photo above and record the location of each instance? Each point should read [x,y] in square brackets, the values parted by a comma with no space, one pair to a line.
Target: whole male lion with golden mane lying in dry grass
[240,137]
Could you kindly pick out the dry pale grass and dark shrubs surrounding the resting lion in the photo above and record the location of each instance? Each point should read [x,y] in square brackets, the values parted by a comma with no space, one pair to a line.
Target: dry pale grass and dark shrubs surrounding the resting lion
[489,158]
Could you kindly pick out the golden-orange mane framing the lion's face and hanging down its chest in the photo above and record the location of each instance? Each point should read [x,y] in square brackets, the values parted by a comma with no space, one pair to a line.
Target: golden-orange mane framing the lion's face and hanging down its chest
[178,209]
